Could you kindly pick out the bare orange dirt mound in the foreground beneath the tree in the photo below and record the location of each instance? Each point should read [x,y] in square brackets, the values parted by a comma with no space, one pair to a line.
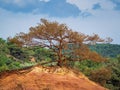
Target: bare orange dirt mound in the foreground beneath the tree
[46,78]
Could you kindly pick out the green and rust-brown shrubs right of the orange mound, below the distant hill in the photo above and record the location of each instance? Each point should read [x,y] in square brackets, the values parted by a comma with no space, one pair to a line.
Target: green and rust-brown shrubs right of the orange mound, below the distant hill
[105,73]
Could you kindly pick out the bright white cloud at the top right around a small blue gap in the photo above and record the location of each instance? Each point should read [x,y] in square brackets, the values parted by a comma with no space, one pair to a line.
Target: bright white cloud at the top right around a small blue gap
[87,5]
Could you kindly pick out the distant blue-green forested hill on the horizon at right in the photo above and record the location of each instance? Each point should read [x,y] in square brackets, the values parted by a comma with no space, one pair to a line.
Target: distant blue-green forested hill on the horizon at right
[106,50]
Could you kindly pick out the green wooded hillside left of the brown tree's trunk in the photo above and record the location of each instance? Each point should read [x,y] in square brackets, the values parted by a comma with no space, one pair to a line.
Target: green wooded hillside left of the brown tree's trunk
[16,57]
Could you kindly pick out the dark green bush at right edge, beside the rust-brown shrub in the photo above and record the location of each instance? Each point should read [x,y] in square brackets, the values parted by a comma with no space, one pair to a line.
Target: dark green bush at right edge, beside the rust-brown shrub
[114,82]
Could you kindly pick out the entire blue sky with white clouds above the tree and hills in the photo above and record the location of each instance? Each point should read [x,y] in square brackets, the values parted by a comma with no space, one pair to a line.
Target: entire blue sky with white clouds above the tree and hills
[101,17]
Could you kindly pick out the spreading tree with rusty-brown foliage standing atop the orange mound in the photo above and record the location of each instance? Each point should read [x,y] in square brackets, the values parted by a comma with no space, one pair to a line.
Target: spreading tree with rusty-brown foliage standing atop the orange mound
[65,43]
